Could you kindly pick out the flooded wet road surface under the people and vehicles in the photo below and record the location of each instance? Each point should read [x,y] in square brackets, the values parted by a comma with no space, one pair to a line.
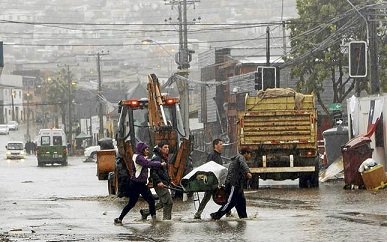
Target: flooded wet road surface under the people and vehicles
[56,203]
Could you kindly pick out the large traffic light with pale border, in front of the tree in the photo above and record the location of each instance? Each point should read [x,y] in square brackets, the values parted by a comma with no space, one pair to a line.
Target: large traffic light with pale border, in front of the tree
[358,59]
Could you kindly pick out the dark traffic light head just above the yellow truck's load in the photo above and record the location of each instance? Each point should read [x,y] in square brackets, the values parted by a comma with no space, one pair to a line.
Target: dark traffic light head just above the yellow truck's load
[265,77]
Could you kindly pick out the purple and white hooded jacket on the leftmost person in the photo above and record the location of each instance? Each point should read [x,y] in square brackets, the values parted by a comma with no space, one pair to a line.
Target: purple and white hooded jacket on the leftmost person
[141,164]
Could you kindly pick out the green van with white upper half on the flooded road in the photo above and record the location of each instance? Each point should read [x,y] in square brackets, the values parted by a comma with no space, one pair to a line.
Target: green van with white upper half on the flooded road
[51,147]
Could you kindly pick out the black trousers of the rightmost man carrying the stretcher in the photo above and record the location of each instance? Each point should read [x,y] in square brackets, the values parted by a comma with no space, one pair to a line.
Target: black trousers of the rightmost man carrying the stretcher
[235,199]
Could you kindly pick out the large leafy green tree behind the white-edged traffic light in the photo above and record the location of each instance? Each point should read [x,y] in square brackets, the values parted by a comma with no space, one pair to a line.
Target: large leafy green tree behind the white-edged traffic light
[318,39]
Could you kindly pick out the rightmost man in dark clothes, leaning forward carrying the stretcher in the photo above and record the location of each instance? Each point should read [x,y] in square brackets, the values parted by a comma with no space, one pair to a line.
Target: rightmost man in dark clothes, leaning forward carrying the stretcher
[238,173]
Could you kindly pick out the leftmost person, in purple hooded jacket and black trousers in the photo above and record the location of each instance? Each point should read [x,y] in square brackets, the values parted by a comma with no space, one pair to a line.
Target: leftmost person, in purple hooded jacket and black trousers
[138,182]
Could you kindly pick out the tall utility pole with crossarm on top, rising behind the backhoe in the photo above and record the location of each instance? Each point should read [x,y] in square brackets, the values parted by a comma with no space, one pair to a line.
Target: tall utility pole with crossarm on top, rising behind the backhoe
[183,58]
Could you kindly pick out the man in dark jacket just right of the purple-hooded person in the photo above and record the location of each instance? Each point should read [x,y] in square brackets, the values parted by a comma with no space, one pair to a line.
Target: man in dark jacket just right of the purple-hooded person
[161,180]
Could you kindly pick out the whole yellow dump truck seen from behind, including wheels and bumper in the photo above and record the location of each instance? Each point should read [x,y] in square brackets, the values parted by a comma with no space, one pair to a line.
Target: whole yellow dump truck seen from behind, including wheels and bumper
[280,126]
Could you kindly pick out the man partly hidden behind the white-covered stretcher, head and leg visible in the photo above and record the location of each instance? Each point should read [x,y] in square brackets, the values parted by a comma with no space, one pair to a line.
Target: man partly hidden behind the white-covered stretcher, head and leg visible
[217,145]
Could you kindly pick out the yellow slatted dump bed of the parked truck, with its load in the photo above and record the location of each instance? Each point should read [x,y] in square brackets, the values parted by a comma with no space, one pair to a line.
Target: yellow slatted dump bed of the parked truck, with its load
[279,120]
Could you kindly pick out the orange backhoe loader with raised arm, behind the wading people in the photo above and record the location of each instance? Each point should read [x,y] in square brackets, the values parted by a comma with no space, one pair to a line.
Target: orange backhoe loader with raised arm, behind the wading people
[151,119]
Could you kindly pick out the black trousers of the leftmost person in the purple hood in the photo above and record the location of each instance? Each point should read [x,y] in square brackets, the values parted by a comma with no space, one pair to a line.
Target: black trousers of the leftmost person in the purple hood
[137,188]
